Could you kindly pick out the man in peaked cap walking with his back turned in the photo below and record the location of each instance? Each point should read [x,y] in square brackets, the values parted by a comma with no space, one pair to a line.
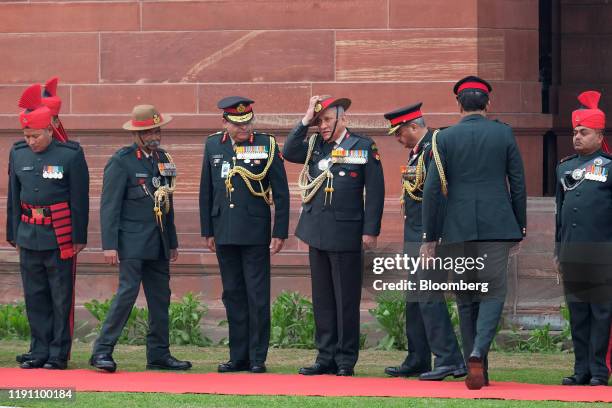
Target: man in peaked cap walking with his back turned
[478,169]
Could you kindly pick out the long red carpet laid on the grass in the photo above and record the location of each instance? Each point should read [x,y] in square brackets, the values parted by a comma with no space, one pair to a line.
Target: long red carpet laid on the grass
[284,384]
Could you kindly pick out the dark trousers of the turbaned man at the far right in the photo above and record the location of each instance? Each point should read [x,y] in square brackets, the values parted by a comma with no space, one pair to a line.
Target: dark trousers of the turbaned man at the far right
[590,310]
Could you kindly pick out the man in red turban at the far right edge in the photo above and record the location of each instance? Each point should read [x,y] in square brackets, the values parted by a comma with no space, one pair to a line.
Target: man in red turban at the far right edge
[583,248]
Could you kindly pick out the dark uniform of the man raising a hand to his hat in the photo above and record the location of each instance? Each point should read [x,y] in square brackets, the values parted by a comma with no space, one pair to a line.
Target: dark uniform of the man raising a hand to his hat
[333,226]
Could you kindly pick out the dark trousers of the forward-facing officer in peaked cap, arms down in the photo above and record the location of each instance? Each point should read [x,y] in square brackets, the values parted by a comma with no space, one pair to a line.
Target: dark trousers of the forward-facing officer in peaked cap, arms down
[245,274]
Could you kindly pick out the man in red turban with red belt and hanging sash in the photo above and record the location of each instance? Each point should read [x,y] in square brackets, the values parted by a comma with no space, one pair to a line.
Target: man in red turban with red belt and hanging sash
[47,218]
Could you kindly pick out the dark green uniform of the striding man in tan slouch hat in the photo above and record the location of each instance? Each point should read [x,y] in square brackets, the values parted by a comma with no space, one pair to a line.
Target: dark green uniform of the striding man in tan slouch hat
[128,225]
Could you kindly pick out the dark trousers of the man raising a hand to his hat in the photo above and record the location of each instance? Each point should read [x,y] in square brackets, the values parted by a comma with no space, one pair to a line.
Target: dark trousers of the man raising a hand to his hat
[336,279]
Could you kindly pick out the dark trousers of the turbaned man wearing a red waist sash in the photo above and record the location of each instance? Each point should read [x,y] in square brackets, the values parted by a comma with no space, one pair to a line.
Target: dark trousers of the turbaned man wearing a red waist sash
[47,286]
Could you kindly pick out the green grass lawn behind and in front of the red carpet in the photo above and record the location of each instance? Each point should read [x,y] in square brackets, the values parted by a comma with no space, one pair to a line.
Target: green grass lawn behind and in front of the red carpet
[540,368]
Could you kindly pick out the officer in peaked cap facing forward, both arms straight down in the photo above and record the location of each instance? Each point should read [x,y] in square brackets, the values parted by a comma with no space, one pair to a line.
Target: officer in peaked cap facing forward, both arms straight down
[243,175]
